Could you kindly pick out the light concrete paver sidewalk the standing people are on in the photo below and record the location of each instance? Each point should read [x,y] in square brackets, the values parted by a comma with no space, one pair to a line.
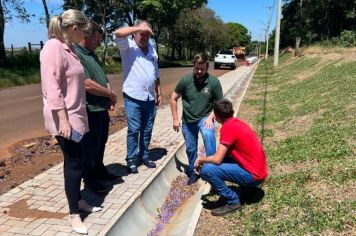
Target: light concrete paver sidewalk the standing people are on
[40,203]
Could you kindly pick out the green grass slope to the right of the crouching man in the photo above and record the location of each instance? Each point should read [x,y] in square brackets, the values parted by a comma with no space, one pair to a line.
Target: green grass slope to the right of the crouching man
[311,187]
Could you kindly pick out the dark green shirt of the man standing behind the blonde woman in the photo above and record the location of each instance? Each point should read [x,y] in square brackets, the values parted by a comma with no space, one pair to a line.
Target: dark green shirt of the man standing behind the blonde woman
[93,70]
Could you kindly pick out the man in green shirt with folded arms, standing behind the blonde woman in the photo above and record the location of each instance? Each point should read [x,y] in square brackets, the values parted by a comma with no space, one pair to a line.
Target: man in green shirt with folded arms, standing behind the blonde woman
[100,98]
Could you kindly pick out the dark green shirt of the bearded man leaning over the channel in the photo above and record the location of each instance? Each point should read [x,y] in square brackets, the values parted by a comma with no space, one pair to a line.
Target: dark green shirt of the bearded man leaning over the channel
[198,99]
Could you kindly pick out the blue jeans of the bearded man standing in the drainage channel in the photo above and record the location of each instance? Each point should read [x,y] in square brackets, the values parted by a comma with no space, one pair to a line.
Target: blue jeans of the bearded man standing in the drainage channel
[190,134]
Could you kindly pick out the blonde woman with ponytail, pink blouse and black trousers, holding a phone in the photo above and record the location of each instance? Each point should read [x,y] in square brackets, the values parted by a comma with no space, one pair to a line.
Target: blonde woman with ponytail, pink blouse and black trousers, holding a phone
[64,109]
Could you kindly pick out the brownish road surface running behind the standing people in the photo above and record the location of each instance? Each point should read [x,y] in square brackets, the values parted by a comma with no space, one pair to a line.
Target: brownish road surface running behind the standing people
[21,107]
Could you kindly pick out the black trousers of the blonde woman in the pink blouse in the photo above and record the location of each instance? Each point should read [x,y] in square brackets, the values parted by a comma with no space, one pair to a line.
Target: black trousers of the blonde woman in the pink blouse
[73,158]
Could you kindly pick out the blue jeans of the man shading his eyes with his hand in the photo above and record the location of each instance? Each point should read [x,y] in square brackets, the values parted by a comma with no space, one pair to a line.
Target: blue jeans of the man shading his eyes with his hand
[140,117]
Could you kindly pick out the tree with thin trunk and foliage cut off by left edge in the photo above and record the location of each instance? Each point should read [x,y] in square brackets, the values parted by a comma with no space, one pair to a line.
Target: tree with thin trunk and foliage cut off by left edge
[8,9]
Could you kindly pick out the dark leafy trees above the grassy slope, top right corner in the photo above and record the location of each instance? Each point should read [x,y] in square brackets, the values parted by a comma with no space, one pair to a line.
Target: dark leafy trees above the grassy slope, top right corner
[317,20]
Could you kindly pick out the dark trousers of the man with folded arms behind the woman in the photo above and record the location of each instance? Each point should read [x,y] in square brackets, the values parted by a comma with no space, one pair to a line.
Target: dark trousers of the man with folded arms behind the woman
[94,146]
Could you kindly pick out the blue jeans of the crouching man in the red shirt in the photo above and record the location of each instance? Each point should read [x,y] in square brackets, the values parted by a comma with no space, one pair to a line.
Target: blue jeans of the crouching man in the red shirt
[229,170]
